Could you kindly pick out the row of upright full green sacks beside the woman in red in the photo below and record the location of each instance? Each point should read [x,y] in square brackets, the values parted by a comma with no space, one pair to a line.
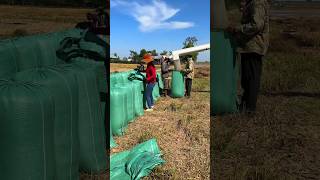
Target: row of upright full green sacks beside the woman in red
[127,99]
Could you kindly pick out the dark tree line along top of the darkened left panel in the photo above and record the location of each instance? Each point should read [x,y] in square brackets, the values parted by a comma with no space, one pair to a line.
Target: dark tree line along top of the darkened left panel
[72,3]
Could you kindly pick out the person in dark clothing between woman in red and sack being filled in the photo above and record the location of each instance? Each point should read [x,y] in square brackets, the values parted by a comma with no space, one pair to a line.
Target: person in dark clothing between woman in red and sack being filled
[165,74]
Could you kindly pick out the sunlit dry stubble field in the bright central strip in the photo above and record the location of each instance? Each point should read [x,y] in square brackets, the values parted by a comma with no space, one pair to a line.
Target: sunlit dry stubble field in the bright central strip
[181,127]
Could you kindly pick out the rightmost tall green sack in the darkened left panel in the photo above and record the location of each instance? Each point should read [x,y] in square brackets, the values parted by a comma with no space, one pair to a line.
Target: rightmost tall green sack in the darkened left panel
[91,122]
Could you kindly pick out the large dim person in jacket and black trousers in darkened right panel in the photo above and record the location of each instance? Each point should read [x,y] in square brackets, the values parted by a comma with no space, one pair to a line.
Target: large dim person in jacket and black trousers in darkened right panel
[253,40]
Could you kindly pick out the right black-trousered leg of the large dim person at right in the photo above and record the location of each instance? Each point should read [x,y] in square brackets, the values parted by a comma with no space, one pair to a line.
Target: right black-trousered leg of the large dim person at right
[255,65]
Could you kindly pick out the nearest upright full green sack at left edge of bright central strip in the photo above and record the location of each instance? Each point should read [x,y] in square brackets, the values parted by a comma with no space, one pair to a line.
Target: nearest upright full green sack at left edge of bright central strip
[118,108]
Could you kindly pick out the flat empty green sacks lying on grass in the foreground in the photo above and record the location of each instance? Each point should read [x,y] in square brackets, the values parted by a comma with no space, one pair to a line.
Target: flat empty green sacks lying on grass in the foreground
[136,163]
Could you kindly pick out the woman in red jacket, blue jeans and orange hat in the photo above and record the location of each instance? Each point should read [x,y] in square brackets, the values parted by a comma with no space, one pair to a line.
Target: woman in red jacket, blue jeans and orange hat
[151,80]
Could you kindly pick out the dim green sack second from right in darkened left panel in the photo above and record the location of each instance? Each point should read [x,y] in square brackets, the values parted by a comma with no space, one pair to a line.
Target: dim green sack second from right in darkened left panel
[62,85]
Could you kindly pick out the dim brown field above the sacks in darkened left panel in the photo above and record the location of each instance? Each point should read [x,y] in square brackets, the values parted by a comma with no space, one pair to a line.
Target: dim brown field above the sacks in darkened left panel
[24,20]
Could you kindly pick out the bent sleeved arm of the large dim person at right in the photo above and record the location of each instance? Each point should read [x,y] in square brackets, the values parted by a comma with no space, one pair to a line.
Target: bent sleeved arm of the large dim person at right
[257,22]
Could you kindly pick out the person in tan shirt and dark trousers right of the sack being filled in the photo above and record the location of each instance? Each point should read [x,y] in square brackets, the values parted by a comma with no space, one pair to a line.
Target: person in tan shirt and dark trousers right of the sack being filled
[189,75]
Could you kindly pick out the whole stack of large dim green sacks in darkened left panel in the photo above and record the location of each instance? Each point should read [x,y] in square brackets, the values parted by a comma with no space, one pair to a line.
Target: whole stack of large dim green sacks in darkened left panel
[52,121]
